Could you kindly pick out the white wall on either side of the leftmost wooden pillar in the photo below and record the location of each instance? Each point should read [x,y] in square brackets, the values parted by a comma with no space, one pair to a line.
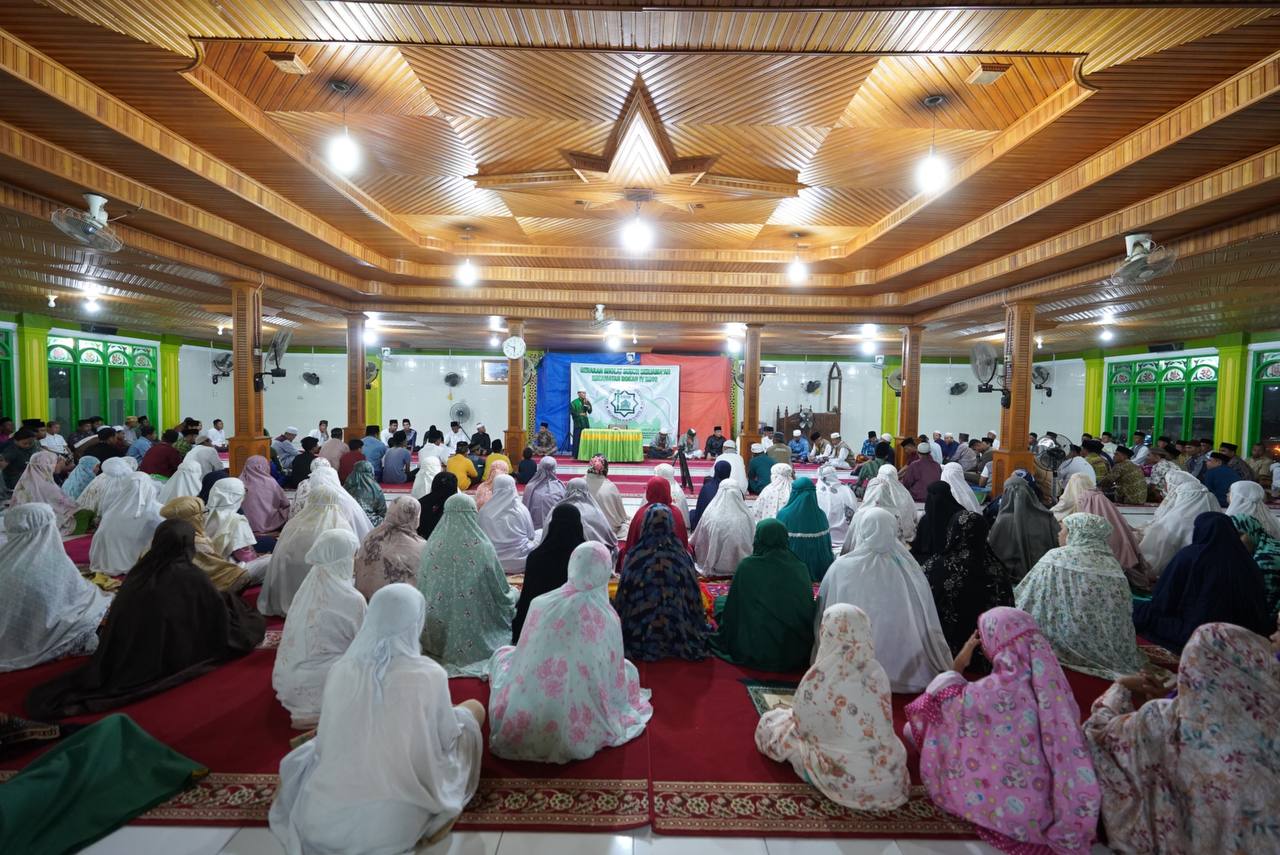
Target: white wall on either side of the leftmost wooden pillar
[286,403]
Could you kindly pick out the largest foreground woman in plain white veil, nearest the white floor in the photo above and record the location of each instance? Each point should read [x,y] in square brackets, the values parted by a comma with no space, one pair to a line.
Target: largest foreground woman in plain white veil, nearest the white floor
[394,762]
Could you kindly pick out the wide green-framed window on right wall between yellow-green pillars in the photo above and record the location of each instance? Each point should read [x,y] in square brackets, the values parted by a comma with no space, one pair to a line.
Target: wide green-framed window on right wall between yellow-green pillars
[1176,397]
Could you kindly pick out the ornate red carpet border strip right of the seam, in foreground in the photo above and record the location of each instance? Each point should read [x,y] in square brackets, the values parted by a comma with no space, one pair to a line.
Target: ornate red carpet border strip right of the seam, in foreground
[760,808]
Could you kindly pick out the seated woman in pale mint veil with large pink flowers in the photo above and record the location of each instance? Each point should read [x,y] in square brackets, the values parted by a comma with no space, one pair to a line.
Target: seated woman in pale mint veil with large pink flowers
[566,691]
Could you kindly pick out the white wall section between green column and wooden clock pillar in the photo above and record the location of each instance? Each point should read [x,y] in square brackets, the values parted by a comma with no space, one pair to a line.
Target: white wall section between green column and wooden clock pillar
[414,387]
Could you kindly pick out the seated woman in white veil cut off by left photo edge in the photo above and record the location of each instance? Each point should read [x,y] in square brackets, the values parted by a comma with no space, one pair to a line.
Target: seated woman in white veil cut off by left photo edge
[51,611]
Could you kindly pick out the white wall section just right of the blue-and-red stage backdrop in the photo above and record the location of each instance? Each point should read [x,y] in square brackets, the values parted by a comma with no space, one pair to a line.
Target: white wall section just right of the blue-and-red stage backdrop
[861,409]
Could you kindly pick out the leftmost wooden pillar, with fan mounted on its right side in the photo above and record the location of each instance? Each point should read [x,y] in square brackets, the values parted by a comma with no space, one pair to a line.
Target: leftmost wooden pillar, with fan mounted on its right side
[246,364]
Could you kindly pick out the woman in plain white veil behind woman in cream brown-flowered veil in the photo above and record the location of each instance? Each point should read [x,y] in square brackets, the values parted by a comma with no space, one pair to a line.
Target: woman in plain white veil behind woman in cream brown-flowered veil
[881,578]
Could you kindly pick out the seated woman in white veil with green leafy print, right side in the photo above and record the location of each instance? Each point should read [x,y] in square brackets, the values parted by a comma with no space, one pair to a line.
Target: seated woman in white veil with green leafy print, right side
[1080,597]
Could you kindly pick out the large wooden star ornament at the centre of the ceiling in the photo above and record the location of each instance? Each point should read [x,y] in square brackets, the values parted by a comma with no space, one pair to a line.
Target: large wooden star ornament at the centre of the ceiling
[639,163]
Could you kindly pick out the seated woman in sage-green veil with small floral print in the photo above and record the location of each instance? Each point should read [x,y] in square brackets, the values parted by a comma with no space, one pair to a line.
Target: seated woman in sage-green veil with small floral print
[469,601]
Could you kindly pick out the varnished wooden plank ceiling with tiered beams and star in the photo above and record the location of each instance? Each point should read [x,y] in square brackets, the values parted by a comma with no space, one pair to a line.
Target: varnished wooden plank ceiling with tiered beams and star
[518,134]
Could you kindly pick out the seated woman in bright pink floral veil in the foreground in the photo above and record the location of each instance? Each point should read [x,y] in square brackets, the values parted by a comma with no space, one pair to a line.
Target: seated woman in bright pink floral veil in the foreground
[1007,752]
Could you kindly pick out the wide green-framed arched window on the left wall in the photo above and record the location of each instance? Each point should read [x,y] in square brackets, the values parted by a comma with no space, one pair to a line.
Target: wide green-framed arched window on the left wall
[90,377]
